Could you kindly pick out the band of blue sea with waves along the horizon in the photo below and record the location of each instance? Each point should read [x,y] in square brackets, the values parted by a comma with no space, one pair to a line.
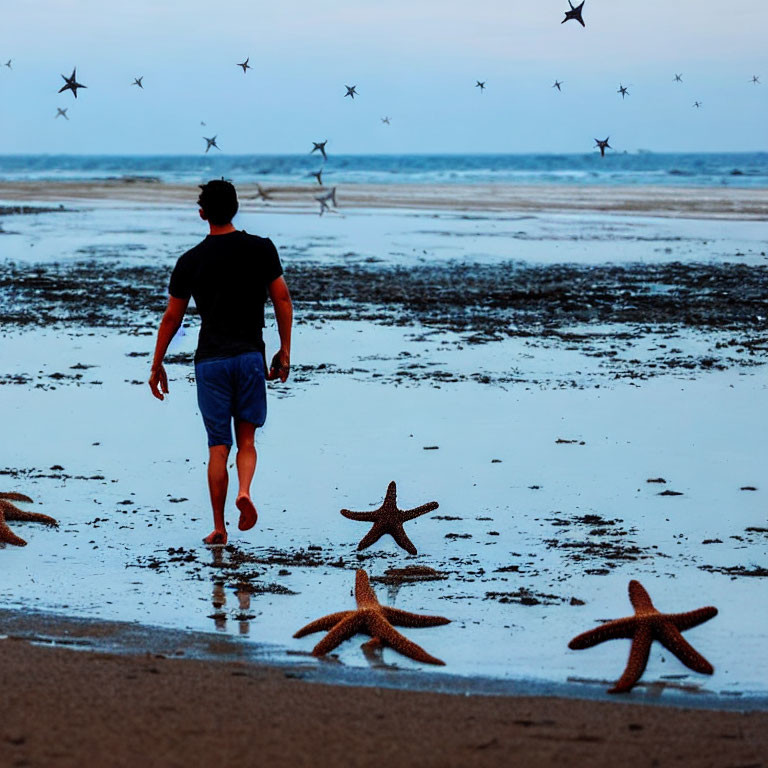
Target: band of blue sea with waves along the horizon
[641,168]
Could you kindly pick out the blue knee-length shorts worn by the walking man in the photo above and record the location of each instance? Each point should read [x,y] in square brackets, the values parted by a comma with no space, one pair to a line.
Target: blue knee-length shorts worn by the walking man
[231,387]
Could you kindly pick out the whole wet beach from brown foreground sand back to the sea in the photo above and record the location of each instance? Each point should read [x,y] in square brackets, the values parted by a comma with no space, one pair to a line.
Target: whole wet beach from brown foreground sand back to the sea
[530,359]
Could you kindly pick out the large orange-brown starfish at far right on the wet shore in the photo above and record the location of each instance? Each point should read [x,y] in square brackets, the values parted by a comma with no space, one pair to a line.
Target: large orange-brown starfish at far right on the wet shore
[643,628]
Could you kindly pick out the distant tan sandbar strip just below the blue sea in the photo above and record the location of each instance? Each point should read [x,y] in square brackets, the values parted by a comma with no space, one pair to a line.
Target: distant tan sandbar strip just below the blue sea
[677,202]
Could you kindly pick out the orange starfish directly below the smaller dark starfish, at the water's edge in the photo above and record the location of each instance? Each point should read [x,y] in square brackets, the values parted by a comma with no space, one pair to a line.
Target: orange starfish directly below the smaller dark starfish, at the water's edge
[374,619]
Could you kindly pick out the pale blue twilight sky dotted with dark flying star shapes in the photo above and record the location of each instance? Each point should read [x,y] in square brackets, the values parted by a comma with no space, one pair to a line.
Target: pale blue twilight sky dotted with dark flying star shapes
[414,60]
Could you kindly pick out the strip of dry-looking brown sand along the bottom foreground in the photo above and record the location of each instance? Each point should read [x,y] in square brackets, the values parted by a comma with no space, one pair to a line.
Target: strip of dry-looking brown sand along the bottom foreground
[67,708]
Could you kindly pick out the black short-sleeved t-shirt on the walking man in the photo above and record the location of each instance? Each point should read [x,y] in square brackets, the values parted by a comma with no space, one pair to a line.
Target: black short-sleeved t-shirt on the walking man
[228,276]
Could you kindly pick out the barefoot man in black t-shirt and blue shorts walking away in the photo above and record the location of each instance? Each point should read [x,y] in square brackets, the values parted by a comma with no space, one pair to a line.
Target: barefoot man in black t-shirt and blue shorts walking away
[229,274]
